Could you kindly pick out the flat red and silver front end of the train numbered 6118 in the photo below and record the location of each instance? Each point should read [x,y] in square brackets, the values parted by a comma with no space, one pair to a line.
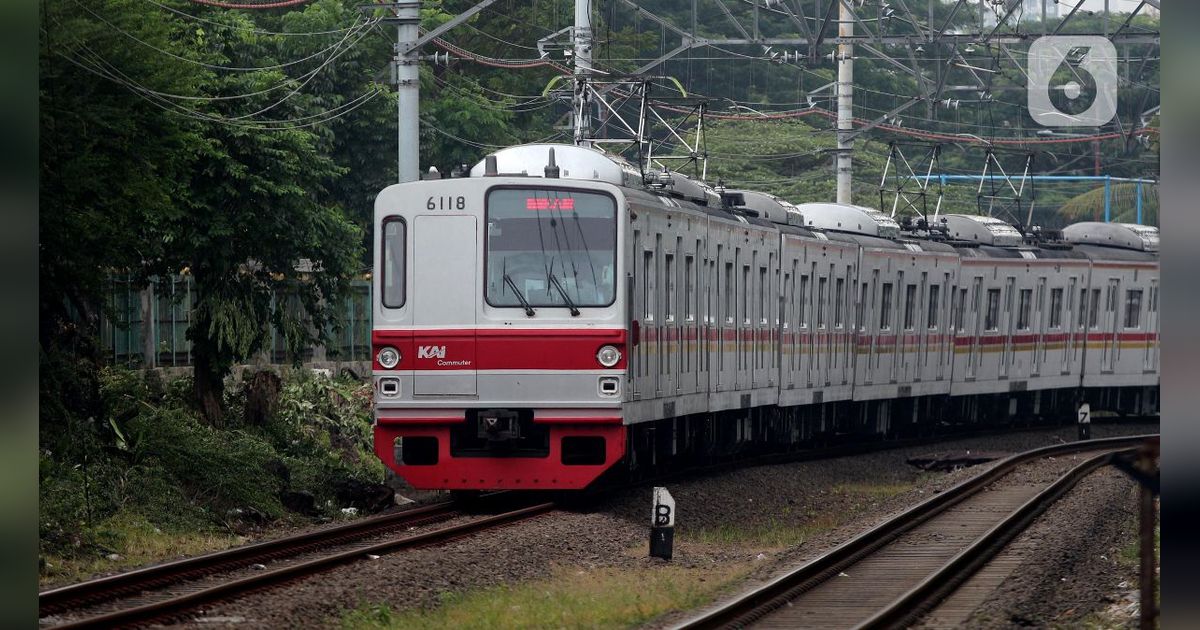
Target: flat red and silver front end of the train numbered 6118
[501,328]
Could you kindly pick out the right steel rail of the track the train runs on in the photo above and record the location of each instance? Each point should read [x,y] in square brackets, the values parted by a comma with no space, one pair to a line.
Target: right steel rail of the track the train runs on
[238,587]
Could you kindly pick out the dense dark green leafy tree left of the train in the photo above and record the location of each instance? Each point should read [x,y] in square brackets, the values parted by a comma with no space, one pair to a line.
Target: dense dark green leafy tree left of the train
[159,160]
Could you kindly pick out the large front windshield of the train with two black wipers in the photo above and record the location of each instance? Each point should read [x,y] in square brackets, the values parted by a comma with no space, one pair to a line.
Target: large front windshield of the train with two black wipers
[551,248]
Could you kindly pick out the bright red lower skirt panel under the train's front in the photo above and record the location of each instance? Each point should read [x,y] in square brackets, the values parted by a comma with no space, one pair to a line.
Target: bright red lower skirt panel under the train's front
[501,473]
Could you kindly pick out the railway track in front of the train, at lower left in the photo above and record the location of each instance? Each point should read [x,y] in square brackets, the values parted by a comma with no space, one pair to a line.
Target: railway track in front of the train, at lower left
[135,586]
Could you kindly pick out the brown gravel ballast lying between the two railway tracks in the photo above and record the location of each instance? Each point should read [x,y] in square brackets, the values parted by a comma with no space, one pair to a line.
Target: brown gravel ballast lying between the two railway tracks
[826,501]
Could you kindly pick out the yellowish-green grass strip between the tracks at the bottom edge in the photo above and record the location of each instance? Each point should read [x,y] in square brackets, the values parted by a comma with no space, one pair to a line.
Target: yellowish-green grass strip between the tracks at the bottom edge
[596,598]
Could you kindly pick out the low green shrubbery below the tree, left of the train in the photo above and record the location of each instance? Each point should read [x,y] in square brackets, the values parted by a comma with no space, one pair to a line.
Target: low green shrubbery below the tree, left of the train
[133,449]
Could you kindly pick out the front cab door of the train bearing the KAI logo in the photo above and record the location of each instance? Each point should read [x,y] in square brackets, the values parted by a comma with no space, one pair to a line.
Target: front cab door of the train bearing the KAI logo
[447,297]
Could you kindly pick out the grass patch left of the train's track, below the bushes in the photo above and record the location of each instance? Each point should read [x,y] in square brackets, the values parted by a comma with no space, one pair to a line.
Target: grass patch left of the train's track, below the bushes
[137,542]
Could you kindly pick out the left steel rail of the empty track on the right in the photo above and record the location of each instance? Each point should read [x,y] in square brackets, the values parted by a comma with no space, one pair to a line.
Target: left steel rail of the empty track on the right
[778,593]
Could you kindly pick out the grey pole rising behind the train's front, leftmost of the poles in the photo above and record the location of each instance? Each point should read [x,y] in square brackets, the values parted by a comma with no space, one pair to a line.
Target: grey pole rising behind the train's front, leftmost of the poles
[409,92]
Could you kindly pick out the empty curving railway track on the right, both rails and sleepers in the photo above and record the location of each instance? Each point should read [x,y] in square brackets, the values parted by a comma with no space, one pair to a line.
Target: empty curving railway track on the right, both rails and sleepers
[897,572]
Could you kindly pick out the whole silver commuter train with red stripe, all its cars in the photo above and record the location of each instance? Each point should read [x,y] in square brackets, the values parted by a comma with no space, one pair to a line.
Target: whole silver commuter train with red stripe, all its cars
[555,315]
